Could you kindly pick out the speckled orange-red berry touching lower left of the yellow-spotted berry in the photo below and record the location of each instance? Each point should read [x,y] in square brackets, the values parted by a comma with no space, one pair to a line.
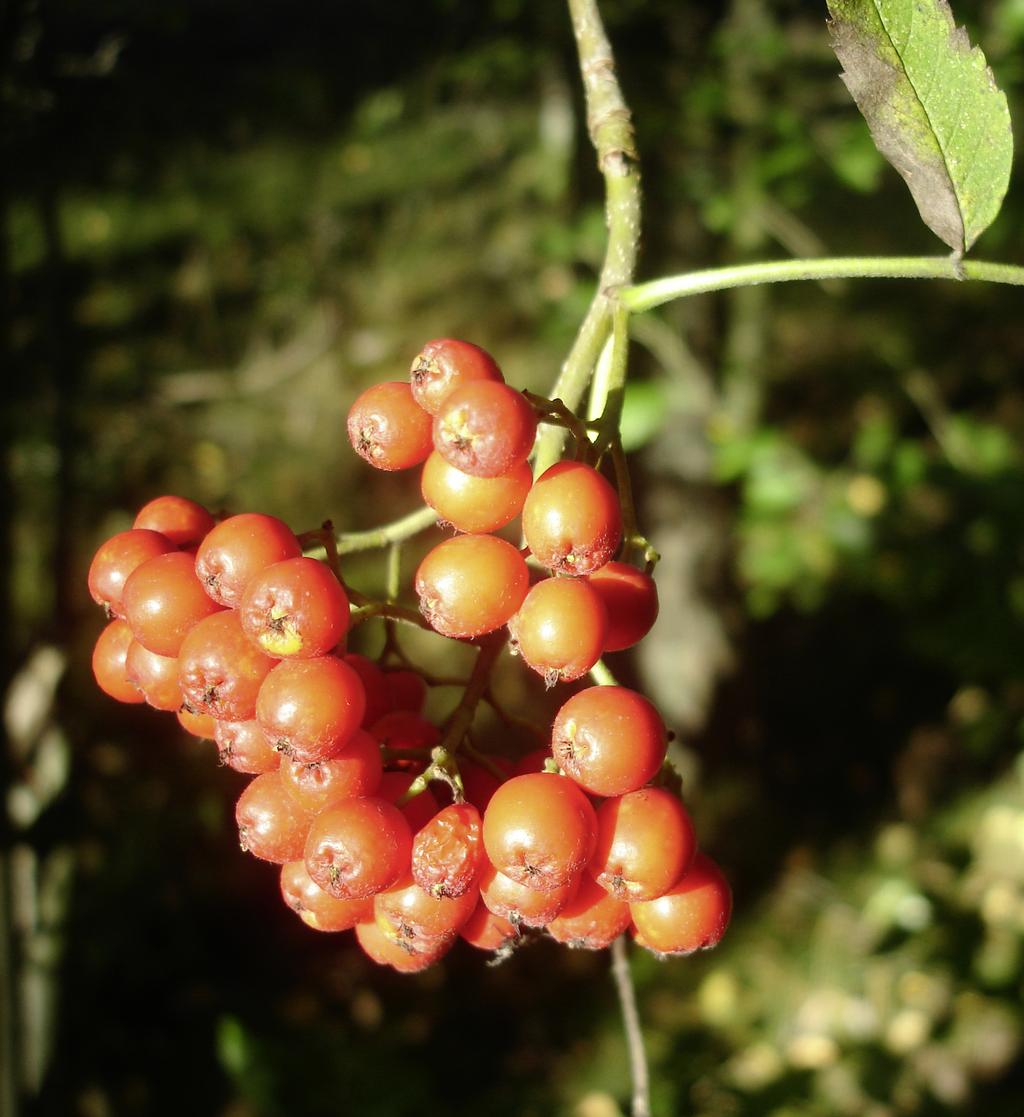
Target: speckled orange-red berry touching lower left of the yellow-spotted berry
[221,671]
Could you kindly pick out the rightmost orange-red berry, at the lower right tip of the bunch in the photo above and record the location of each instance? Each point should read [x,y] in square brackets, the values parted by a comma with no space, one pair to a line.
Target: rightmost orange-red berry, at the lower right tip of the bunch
[693,915]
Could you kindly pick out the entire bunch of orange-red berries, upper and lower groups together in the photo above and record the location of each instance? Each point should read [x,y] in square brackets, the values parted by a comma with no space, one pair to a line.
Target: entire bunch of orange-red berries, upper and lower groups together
[233,628]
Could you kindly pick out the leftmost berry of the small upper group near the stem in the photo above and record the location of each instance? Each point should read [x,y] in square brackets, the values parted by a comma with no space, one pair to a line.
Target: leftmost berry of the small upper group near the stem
[388,428]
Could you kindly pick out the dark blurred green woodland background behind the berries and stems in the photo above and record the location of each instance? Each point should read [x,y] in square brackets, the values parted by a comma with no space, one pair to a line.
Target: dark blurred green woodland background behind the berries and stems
[221,222]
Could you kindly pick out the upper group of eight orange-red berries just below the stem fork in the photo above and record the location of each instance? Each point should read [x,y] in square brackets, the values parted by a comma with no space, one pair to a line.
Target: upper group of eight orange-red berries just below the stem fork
[473,434]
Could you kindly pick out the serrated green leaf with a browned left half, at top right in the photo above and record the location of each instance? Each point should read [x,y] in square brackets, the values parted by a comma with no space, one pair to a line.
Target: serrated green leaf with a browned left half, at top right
[933,107]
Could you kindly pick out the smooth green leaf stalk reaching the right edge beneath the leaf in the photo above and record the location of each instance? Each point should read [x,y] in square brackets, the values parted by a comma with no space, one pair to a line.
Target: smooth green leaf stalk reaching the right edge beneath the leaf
[646,297]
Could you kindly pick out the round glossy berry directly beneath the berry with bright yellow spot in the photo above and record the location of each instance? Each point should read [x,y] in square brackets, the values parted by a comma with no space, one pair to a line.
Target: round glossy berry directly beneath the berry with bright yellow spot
[311,709]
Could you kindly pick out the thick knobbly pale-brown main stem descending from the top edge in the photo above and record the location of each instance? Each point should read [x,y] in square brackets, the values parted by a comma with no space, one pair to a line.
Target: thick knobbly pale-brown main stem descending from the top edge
[611,131]
